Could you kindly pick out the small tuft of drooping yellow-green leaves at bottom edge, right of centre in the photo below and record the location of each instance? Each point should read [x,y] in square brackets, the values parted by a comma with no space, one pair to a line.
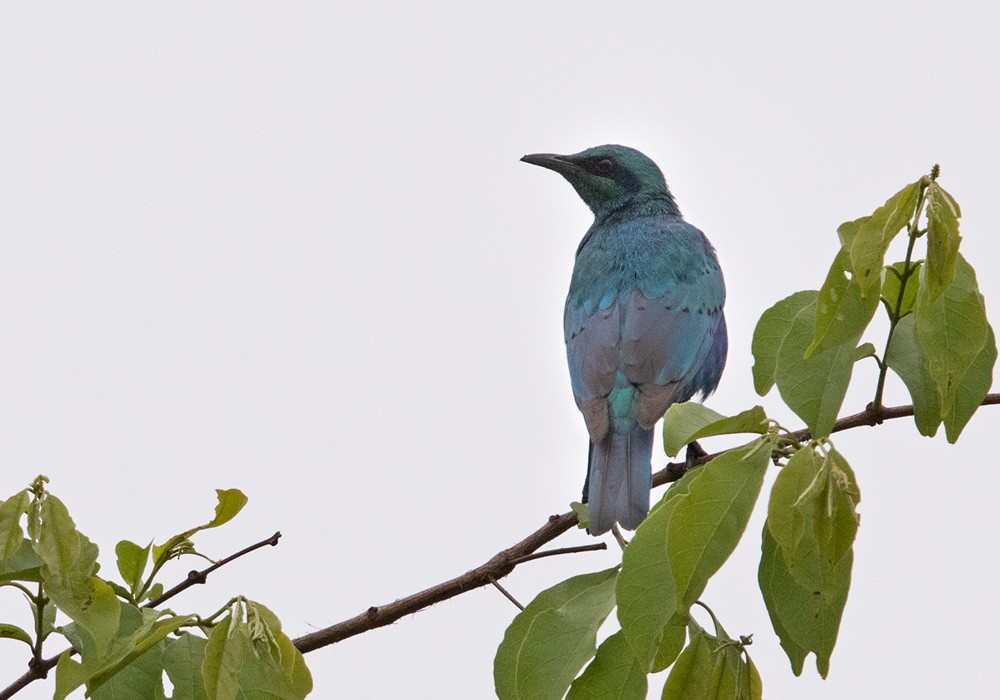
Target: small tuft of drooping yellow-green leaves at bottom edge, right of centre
[713,668]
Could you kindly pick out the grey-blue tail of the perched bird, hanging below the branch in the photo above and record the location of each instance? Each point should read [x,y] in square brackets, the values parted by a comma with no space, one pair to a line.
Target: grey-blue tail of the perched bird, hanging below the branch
[618,479]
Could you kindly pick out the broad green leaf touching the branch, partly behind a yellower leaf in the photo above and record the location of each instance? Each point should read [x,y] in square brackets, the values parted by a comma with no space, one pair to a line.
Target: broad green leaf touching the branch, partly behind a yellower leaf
[813,387]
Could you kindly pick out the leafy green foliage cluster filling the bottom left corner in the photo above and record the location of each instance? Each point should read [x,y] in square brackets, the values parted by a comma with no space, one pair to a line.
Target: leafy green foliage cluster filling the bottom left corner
[124,638]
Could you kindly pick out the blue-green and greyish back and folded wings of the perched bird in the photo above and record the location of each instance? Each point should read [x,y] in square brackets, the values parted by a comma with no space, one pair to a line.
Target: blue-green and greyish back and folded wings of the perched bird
[645,301]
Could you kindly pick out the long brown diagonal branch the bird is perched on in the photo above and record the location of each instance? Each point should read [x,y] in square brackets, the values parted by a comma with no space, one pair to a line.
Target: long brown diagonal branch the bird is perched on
[502,563]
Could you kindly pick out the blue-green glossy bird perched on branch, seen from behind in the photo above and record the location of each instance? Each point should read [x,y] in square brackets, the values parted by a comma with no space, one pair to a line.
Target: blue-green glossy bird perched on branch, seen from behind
[644,324]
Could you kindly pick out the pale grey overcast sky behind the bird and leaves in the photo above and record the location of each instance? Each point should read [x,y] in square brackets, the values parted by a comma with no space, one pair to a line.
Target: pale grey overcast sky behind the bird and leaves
[289,248]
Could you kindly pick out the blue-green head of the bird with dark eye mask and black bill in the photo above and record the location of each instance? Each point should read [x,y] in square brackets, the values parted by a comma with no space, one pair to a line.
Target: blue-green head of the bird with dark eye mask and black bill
[609,178]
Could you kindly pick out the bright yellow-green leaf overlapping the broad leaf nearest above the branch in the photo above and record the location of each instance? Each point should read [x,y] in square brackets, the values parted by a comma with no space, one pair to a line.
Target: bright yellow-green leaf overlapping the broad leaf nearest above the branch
[842,312]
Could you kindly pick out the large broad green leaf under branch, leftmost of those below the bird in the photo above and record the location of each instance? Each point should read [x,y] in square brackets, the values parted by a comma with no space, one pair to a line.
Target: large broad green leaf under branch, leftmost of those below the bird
[553,637]
